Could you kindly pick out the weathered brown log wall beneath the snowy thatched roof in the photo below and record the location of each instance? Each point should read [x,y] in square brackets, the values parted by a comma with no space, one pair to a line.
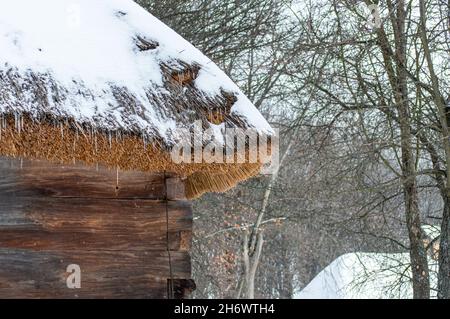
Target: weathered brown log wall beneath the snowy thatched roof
[113,225]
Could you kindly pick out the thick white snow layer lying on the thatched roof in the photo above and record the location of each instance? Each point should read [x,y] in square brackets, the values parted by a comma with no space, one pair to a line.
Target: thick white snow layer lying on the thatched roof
[112,65]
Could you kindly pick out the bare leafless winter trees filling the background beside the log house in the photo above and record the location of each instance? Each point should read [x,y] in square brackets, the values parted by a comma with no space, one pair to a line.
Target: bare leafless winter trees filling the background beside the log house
[362,114]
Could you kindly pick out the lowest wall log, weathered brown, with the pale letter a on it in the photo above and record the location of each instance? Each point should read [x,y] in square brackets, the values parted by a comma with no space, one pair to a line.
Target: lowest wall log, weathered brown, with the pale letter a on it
[43,274]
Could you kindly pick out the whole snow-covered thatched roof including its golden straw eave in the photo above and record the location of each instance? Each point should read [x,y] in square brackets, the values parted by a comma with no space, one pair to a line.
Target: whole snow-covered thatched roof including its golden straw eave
[105,82]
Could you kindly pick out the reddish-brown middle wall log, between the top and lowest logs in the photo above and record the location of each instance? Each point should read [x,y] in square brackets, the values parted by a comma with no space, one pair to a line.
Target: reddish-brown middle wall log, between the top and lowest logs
[70,223]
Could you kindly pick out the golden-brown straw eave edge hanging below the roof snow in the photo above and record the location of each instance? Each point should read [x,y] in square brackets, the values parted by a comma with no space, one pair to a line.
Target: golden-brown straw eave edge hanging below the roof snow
[66,142]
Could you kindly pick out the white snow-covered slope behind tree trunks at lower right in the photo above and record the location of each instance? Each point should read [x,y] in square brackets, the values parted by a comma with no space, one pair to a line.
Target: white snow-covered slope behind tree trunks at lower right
[367,276]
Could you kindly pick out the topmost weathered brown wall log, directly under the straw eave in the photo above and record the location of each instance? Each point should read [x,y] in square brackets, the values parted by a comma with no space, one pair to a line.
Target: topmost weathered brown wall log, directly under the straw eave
[40,178]
